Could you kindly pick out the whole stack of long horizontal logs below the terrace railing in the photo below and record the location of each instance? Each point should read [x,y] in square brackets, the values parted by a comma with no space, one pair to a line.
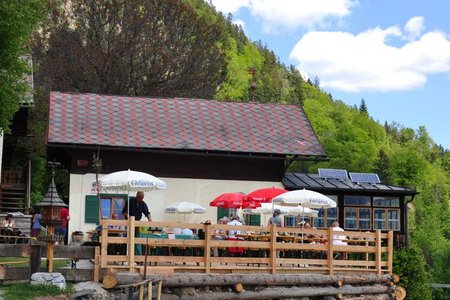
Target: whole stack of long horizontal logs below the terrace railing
[281,286]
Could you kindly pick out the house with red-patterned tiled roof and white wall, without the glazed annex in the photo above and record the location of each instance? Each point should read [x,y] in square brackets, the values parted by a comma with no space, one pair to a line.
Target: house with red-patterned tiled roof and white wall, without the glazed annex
[200,148]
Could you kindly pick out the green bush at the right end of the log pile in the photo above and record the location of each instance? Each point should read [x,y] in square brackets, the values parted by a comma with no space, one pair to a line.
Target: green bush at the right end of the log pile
[410,266]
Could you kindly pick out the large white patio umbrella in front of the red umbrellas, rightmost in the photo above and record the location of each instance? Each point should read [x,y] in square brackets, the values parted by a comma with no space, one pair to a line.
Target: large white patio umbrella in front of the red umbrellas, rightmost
[306,198]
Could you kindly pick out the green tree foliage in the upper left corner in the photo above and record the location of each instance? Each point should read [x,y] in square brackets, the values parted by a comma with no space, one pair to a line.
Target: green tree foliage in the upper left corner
[18,20]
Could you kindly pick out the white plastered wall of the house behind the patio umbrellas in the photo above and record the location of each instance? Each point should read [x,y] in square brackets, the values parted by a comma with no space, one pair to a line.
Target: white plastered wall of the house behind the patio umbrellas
[200,191]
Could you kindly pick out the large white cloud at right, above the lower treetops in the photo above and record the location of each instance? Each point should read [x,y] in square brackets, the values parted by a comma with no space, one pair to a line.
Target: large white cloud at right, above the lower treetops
[367,62]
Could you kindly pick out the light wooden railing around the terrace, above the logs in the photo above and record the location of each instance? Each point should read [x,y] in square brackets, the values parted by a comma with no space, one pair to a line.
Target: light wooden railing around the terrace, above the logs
[256,249]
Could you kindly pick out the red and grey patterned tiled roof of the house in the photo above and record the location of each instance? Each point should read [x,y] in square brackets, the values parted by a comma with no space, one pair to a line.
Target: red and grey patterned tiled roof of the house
[174,123]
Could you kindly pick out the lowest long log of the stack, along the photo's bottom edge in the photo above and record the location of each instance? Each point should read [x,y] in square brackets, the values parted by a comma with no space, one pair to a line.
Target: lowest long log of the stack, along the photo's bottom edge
[377,292]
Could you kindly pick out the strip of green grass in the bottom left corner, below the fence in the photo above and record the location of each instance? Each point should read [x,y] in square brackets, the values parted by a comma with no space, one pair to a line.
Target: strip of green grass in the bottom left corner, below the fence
[27,291]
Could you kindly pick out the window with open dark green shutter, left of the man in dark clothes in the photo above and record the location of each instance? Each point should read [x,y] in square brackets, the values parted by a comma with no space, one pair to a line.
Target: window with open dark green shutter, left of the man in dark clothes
[109,204]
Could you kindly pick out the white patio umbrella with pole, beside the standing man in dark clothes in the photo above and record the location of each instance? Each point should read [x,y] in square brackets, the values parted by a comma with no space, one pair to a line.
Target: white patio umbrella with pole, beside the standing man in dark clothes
[129,181]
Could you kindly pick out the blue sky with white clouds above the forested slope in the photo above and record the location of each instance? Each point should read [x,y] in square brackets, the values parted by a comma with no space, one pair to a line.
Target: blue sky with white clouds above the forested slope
[393,53]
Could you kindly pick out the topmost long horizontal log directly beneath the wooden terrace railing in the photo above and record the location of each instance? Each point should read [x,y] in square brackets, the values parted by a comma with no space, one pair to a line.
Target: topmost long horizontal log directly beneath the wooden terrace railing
[181,280]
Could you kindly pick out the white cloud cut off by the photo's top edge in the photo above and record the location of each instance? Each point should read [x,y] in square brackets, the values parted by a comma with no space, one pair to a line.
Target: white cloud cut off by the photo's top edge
[276,14]
